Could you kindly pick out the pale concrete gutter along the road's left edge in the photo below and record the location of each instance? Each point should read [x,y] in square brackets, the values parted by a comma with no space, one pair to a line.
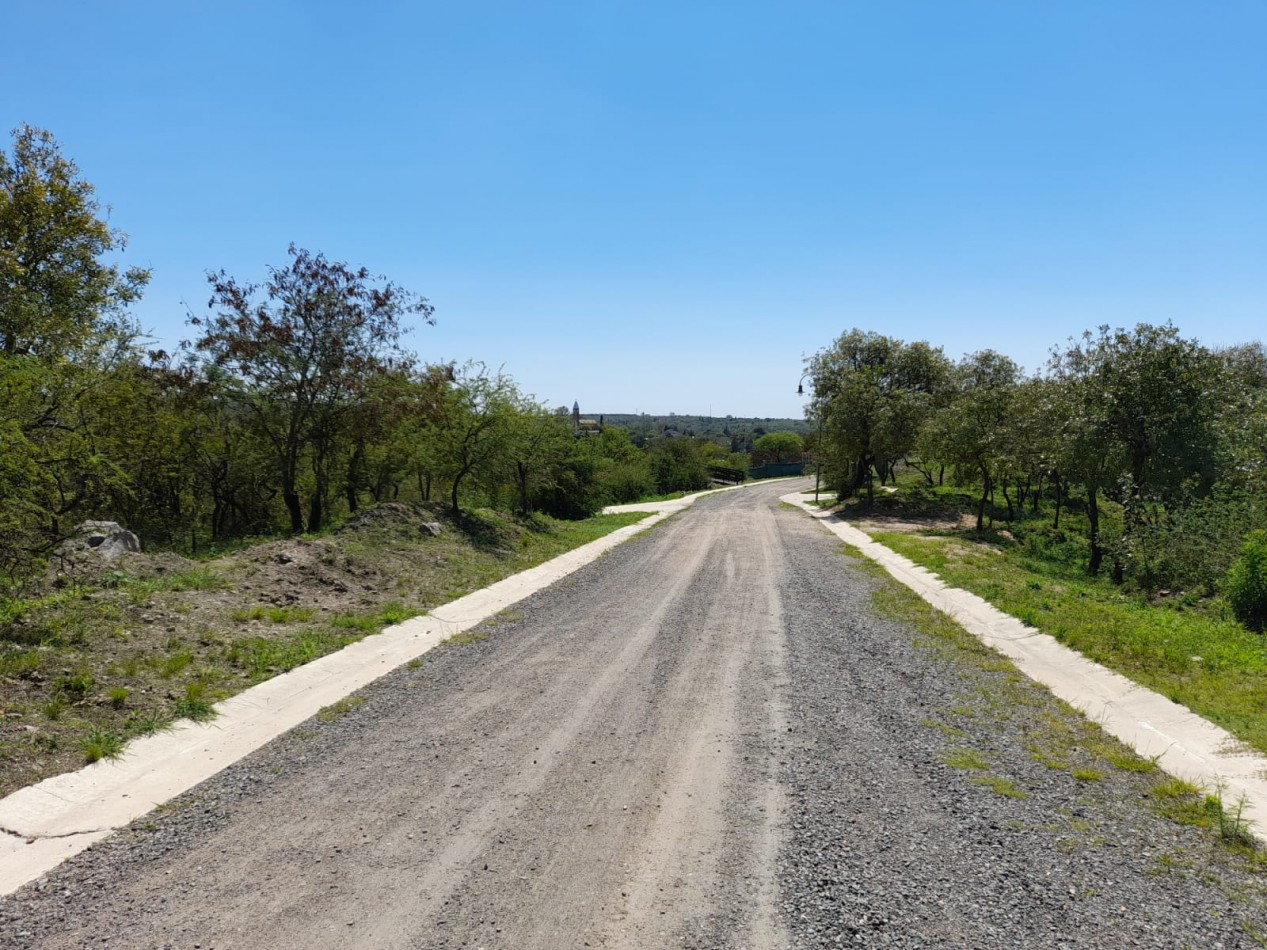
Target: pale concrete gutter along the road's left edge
[44,825]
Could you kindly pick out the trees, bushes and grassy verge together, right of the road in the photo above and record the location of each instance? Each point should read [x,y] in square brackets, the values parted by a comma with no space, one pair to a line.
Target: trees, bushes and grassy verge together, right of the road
[1116,500]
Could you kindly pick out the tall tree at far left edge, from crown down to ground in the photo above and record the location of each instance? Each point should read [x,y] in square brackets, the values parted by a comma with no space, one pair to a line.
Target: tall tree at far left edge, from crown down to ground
[63,336]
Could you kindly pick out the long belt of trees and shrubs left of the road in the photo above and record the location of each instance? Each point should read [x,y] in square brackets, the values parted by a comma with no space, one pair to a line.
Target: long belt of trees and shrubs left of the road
[293,405]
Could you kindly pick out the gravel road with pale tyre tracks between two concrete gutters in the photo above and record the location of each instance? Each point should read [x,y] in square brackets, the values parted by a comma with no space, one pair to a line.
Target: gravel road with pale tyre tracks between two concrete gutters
[719,735]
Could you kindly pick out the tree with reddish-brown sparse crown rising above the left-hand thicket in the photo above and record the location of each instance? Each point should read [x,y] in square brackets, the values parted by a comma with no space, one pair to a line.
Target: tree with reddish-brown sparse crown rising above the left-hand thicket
[305,357]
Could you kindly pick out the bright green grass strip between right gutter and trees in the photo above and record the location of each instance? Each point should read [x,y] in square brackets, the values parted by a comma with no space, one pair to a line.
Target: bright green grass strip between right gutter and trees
[1204,662]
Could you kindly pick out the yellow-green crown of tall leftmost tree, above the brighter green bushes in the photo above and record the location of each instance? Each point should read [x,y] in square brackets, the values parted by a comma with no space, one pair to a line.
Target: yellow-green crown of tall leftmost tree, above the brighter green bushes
[56,293]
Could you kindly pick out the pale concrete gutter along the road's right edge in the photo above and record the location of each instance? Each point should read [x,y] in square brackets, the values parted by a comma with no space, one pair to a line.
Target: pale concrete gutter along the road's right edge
[1183,744]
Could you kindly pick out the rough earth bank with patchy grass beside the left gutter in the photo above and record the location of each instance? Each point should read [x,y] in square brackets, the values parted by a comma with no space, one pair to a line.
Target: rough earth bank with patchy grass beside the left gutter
[122,648]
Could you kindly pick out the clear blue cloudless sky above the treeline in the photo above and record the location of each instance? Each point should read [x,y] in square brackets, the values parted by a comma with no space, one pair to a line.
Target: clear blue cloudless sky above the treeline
[662,207]
